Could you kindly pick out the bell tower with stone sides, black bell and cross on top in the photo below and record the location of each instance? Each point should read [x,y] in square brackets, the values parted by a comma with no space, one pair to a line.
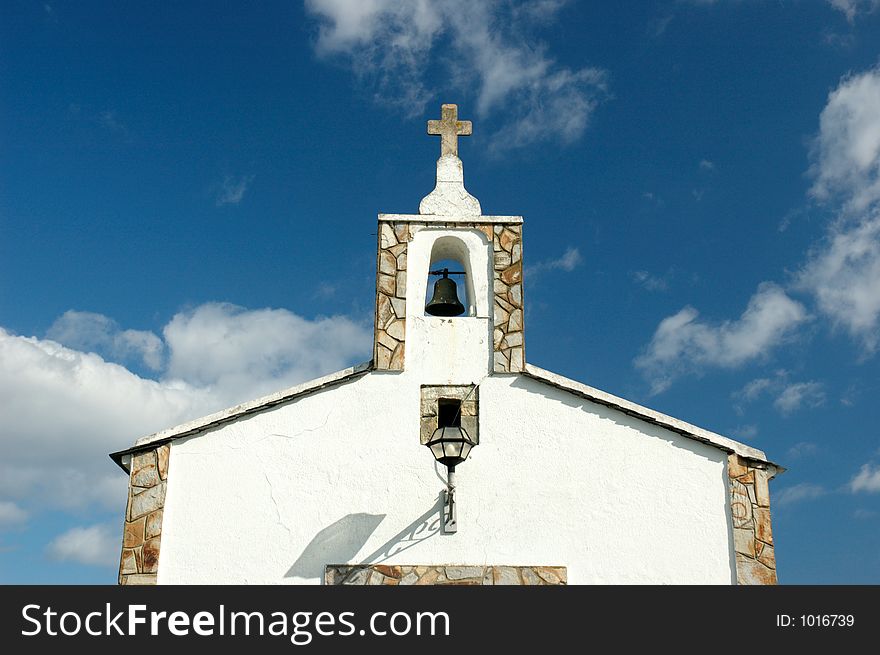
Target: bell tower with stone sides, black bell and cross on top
[418,326]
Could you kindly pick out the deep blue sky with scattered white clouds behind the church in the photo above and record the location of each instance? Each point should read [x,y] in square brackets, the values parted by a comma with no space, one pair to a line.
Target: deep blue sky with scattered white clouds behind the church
[188,200]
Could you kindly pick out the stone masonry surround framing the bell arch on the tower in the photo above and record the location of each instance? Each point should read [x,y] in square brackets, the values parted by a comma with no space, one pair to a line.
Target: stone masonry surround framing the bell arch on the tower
[390,325]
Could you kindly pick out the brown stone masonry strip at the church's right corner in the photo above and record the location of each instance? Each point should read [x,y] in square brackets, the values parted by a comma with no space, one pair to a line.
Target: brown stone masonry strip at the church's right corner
[750,510]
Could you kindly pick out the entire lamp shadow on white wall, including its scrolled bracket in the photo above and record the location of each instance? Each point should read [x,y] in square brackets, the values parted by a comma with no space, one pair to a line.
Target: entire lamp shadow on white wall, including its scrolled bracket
[339,542]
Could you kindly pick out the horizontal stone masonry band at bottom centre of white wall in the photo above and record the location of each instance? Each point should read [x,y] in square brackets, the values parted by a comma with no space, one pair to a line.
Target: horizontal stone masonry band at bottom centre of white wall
[380,574]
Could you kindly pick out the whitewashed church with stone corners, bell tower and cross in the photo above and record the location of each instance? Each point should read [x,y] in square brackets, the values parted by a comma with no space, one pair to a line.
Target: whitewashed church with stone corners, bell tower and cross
[447,458]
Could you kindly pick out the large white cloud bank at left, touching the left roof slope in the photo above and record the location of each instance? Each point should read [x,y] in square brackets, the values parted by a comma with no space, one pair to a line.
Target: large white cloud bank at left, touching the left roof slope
[64,410]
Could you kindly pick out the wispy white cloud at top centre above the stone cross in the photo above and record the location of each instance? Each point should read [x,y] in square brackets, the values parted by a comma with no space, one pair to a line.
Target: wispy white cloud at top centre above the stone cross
[481,45]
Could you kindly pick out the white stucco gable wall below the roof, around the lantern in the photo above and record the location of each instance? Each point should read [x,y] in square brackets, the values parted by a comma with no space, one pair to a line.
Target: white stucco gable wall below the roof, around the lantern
[339,476]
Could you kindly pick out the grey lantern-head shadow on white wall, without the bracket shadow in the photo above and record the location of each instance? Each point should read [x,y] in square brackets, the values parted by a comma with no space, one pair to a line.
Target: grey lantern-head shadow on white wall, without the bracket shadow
[338,542]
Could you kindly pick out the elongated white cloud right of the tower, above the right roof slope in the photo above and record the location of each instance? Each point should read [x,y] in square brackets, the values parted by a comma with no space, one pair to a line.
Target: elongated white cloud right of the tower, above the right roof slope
[682,344]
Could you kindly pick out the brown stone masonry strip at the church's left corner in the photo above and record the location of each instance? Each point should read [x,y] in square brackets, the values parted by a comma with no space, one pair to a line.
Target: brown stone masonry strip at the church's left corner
[142,534]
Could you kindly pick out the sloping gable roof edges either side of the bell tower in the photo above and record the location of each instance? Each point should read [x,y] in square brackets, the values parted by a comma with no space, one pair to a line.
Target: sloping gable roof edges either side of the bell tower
[572,386]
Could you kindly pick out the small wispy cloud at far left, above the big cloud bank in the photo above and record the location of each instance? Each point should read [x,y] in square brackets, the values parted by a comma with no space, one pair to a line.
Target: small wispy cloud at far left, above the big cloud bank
[92,332]
